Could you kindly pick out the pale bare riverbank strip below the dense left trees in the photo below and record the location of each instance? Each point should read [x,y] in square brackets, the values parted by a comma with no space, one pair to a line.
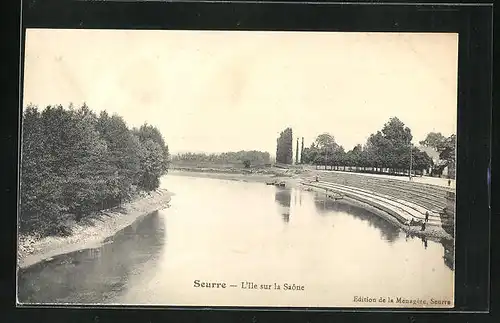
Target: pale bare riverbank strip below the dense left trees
[103,225]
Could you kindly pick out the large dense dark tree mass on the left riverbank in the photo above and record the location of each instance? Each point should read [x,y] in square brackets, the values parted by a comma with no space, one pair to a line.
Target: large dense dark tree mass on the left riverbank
[74,162]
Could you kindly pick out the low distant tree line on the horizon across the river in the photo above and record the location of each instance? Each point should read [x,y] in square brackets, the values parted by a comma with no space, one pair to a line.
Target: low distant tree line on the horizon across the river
[243,157]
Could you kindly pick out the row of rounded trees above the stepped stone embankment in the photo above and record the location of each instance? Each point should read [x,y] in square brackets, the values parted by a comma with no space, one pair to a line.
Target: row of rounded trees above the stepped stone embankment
[387,151]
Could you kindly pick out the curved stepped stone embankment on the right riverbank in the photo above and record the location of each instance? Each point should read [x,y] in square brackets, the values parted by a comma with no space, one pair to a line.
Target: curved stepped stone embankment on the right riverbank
[406,202]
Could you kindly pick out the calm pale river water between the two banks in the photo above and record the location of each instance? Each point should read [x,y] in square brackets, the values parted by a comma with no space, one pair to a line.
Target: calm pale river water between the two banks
[248,234]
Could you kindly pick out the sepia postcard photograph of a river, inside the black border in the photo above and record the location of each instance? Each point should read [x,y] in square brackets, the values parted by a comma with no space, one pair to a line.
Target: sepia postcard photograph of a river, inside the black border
[237,169]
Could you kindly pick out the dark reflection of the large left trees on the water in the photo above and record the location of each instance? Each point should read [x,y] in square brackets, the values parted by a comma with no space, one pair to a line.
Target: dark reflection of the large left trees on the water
[95,275]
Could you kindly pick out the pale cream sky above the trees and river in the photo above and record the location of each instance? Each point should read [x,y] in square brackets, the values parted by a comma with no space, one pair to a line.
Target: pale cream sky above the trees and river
[216,91]
